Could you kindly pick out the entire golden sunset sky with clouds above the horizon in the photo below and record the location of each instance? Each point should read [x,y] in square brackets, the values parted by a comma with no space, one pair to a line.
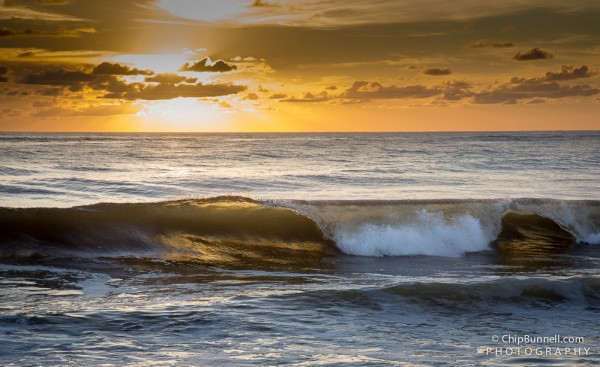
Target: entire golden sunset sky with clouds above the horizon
[303,65]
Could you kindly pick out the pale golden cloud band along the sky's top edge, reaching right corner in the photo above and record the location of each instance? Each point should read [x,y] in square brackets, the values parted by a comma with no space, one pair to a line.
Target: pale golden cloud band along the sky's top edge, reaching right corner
[339,13]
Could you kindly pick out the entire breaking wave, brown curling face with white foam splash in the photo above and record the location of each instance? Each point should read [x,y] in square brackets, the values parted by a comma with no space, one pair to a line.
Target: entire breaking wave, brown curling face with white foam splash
[237,230]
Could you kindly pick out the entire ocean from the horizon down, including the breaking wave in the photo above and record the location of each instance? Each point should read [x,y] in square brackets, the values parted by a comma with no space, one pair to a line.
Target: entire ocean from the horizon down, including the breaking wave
[398,249]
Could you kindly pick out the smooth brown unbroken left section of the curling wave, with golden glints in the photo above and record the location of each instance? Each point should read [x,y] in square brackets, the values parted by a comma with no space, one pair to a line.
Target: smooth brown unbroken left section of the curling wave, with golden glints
[221,231]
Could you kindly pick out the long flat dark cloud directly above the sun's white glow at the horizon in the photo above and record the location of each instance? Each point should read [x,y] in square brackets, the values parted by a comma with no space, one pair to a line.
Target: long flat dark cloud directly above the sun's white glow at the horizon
[170,91]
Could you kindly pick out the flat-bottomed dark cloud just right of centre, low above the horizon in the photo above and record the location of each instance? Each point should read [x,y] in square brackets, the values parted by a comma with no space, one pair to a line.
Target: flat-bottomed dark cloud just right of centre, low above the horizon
[374,90]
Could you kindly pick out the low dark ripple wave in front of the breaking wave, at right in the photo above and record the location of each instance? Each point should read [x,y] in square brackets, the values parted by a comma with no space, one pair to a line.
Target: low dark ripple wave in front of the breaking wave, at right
[475,294]
